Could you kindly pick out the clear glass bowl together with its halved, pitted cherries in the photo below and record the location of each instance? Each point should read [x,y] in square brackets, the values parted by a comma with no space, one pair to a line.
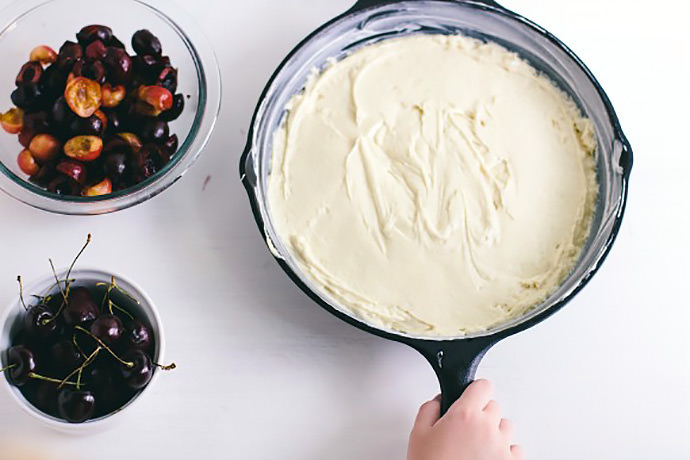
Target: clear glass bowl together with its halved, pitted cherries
[106,108]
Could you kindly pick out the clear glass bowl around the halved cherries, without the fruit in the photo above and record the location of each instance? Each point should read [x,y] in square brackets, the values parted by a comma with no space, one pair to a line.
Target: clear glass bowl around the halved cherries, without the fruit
[30,23]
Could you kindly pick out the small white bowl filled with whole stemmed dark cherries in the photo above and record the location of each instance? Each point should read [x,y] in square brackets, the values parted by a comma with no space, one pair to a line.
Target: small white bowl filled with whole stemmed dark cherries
[80,346]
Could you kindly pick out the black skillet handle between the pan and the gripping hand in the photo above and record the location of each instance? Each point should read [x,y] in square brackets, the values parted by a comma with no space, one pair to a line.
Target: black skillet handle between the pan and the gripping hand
[455,364]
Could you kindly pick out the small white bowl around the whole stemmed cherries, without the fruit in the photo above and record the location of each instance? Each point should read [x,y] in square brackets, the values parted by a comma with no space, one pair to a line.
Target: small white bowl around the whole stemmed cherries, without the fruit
[11,319]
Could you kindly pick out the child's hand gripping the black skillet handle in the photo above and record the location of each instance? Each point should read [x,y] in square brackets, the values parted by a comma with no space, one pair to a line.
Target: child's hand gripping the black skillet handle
[471,430]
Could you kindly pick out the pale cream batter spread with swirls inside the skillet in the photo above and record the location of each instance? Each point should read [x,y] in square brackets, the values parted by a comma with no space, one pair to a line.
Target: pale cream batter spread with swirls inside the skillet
[434,185]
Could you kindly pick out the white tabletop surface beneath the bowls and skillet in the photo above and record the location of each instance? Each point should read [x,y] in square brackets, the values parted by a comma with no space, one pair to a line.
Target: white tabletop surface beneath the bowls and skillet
[264,373]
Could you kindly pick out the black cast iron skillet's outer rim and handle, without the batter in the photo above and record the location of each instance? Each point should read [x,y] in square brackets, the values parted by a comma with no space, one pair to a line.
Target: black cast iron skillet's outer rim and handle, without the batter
[455,360]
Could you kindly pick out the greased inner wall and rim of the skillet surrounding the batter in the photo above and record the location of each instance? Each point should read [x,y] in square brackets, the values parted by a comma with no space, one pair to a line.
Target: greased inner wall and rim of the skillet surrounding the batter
[371,21]
